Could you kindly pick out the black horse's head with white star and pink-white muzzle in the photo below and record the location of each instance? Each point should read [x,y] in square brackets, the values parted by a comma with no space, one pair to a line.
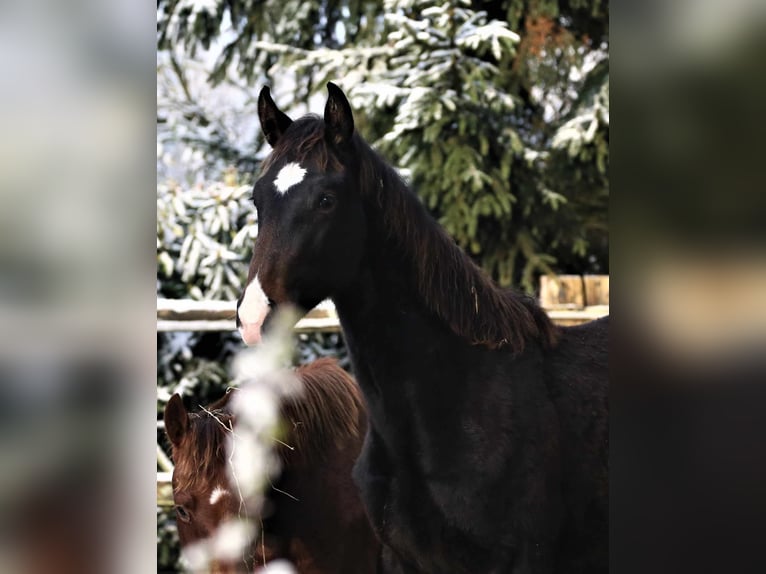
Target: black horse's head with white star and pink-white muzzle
[311,225]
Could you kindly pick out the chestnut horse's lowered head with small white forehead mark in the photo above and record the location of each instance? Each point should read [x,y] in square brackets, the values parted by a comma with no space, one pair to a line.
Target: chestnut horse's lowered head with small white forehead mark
[202,492]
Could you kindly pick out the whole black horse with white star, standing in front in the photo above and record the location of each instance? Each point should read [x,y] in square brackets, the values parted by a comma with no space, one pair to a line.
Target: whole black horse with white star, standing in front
[487,447]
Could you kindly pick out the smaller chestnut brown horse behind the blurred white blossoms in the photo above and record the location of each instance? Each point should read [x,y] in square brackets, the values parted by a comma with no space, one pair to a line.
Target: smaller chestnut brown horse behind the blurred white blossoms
[313,515]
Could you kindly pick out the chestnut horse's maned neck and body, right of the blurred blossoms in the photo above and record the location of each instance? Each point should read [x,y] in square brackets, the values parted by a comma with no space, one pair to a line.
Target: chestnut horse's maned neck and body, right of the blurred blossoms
[322,525]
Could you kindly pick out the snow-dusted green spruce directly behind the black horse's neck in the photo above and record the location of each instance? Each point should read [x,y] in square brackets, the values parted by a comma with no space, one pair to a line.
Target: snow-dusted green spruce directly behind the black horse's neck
[451,127]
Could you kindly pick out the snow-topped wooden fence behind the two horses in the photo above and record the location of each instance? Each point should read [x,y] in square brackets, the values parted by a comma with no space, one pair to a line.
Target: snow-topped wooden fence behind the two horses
[568,300]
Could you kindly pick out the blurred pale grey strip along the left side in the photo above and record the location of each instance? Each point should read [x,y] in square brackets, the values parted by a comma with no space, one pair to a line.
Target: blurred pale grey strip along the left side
[77,358]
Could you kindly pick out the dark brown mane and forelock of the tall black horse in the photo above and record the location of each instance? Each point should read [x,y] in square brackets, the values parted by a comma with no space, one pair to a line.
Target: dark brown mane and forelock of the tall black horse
[450,284]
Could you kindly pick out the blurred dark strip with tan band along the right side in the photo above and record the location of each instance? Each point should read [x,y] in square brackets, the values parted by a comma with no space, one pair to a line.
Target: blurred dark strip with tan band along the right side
[688,359]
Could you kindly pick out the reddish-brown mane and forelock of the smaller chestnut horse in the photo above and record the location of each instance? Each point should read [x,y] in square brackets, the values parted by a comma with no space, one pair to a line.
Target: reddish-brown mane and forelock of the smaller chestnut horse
[324,415]
